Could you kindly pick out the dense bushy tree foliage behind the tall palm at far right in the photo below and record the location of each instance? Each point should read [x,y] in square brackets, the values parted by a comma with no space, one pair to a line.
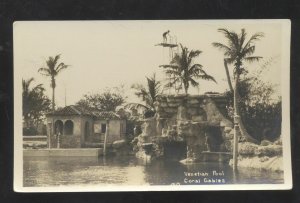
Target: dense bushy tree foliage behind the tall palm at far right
[260,109]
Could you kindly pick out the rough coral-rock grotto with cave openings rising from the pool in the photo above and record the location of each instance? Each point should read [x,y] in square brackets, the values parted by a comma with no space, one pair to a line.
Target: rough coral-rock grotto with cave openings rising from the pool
[188,118]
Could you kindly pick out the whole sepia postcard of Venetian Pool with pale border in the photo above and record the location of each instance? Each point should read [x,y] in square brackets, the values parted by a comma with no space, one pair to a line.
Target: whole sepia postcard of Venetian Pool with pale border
[152,105]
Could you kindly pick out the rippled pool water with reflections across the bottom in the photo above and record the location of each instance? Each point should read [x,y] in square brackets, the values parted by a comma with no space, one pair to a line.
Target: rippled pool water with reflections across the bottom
[54,171]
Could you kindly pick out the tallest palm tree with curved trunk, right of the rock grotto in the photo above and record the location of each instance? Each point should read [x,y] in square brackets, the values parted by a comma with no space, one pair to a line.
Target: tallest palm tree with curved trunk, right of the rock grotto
[237,51]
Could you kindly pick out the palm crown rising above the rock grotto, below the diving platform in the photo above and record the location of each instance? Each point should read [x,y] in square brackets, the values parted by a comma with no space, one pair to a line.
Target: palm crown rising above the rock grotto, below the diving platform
[184,72]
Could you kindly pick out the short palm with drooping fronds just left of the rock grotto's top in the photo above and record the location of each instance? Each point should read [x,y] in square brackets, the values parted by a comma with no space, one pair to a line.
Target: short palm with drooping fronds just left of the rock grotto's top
[148,94]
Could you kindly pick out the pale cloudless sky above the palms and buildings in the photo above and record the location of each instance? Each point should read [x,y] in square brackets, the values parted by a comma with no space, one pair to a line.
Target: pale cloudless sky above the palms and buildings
[105,54]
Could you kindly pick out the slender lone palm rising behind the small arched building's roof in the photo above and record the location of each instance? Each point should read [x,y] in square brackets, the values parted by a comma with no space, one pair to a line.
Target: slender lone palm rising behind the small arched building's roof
[52,70]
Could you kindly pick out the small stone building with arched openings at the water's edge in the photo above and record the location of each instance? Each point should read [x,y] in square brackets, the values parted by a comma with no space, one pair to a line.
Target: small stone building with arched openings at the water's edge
[76,127]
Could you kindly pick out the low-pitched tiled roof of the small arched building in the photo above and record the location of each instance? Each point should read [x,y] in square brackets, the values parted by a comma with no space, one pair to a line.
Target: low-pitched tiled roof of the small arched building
[76,110]
